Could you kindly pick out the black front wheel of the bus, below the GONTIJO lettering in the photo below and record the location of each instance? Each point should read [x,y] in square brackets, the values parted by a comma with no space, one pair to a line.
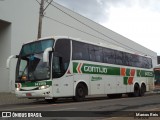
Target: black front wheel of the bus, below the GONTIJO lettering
[80,93]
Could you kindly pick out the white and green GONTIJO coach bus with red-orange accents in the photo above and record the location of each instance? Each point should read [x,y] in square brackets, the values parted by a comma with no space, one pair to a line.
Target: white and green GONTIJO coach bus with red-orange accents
[56,67]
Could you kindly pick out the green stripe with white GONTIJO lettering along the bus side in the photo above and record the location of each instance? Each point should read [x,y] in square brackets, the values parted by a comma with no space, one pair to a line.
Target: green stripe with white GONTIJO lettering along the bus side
[107,70]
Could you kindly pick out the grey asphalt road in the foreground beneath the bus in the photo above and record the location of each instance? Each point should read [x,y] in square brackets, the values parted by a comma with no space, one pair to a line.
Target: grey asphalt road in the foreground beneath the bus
[99,108]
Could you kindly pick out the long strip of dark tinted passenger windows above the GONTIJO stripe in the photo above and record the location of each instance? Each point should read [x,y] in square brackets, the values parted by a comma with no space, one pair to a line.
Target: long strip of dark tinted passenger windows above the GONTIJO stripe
[84,51]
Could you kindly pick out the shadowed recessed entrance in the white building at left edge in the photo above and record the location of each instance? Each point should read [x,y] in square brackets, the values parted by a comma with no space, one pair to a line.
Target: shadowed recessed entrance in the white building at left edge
[5,50]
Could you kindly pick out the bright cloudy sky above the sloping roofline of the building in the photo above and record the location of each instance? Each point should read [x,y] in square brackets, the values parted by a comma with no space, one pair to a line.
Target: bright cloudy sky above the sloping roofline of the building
[138,20]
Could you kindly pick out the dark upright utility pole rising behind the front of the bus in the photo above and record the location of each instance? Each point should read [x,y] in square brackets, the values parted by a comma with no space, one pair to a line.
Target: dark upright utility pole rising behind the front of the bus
[41,11]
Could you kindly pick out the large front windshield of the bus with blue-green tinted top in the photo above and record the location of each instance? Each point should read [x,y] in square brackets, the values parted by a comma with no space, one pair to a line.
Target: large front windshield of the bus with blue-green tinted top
[30,65]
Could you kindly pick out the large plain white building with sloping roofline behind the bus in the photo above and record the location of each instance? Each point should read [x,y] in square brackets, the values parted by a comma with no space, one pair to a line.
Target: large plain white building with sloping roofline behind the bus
[19,24]
